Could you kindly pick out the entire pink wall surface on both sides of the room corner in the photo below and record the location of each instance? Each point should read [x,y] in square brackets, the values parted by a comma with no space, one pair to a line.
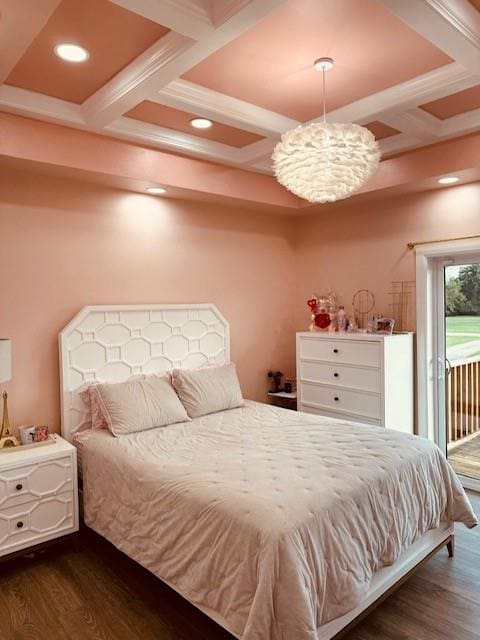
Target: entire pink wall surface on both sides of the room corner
[66,244]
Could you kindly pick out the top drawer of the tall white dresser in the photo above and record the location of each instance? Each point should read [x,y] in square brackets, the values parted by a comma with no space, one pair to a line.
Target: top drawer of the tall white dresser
[349,351]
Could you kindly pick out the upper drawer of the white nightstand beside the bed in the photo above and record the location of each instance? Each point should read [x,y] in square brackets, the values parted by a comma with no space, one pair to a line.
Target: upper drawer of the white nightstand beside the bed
[27,483]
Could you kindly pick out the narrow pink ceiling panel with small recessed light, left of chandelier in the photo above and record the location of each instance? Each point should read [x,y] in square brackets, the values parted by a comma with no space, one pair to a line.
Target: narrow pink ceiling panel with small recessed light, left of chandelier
[163,116]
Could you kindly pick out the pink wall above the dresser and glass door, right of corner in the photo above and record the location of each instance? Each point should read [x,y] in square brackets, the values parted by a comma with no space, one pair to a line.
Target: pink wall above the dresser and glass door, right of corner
[354,245]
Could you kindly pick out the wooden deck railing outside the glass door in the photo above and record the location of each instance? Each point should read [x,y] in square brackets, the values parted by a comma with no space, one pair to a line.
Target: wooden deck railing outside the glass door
[463,401]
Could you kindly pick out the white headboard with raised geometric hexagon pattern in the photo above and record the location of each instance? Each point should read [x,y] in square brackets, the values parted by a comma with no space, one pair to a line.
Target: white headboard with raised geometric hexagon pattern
[110,343]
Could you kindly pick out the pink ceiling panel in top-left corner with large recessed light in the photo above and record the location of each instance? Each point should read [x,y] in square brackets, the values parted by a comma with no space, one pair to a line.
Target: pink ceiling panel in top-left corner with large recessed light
[113,36]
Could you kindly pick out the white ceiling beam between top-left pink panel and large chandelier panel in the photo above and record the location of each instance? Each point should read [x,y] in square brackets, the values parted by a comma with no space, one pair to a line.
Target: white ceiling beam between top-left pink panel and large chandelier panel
[146,75]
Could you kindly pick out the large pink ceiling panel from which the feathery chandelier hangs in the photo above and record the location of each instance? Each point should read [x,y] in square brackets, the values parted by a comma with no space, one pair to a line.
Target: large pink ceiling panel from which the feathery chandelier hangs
[271,64]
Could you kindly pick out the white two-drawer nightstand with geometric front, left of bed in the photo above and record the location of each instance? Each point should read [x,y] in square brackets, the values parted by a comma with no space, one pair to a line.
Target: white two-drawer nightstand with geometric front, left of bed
[38,496]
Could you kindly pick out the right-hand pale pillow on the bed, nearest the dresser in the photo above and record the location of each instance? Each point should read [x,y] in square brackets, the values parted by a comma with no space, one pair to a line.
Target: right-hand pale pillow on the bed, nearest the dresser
[208,390]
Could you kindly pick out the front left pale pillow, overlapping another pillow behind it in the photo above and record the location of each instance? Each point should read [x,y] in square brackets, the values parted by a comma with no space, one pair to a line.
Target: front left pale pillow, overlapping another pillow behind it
[140,404]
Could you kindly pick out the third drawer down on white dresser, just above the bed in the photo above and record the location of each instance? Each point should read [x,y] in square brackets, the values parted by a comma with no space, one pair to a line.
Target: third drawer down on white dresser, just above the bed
[341,400]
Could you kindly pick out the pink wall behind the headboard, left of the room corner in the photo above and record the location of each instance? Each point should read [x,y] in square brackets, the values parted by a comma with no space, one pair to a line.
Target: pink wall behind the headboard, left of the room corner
[65,244]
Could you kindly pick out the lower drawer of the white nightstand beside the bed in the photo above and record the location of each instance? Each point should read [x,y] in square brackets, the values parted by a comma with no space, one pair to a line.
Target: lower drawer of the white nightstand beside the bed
[29,524]
